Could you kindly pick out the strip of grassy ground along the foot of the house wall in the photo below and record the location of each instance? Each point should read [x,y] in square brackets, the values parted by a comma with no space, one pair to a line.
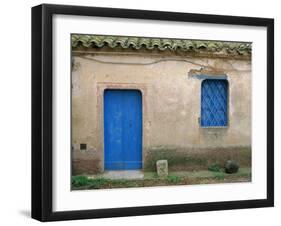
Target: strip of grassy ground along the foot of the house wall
[151,179]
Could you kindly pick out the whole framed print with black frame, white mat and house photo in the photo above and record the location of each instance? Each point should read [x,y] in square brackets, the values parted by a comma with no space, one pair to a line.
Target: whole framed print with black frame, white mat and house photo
[145,112]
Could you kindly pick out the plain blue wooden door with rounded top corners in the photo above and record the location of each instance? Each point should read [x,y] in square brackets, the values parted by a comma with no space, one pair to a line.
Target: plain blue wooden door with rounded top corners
[122,129]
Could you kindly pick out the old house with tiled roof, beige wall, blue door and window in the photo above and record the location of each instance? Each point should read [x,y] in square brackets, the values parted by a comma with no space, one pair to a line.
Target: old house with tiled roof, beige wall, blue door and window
[138,100]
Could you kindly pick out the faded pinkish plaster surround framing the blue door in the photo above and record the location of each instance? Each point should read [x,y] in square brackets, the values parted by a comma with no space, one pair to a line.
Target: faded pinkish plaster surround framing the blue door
[101,87]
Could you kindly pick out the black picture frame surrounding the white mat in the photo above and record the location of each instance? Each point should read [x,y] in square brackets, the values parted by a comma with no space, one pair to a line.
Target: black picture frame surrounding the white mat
[42,108]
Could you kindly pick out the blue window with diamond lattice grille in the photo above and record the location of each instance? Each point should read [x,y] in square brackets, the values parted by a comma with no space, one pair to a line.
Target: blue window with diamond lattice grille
[214,97]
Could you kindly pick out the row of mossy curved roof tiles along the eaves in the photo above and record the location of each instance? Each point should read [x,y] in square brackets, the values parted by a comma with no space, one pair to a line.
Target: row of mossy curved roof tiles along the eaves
[98,41]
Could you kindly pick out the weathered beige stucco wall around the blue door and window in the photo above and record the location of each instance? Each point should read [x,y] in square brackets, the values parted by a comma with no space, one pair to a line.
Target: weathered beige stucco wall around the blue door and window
[171,93]
